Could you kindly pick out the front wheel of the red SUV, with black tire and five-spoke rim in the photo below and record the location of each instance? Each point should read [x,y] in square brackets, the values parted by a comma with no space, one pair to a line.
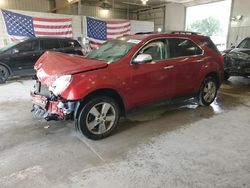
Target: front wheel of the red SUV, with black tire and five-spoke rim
[98,118]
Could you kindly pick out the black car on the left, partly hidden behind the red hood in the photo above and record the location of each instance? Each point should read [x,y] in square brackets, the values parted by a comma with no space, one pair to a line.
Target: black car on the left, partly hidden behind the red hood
[19,59]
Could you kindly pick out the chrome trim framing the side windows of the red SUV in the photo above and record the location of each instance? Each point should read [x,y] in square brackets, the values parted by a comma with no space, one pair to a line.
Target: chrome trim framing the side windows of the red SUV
[158,38]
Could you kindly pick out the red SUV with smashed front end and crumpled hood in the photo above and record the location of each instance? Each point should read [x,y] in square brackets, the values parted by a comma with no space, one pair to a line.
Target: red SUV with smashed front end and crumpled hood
[96,90]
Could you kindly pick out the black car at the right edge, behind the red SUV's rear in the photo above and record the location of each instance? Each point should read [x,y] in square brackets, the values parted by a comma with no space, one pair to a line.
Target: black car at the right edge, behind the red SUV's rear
[237,60]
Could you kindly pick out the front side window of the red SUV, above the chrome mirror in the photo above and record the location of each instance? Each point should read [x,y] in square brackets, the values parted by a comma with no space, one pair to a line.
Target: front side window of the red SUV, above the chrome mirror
[157,49]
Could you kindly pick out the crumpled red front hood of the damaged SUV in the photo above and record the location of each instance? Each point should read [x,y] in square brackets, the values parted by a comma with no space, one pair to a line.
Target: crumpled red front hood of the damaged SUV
[52,65]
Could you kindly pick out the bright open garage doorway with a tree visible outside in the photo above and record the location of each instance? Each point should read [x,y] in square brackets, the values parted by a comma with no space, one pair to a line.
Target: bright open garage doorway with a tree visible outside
[211,20]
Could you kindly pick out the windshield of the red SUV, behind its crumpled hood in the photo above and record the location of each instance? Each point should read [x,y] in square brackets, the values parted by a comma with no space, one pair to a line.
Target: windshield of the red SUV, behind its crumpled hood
[112,51]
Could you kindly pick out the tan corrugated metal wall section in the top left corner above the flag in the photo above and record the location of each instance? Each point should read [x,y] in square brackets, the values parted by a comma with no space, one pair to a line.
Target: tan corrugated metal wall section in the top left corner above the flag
[29,5]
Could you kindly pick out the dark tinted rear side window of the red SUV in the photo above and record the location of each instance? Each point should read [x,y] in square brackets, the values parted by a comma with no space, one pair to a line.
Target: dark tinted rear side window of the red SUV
[182,47]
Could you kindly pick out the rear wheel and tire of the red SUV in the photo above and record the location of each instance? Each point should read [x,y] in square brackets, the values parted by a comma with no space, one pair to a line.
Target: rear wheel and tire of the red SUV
[208,91]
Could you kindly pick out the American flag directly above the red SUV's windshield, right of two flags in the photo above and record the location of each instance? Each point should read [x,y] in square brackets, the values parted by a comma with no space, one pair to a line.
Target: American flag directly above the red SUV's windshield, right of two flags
[99,31]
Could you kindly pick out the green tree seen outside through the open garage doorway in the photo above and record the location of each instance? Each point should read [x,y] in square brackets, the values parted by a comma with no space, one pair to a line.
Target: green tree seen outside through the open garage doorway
[208,26]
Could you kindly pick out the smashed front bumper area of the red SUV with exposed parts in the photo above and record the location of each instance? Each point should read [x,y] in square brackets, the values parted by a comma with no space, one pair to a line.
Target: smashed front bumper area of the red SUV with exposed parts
[49,110]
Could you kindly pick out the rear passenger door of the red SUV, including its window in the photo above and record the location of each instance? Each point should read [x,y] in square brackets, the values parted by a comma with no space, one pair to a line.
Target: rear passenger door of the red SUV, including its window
[186,59]
